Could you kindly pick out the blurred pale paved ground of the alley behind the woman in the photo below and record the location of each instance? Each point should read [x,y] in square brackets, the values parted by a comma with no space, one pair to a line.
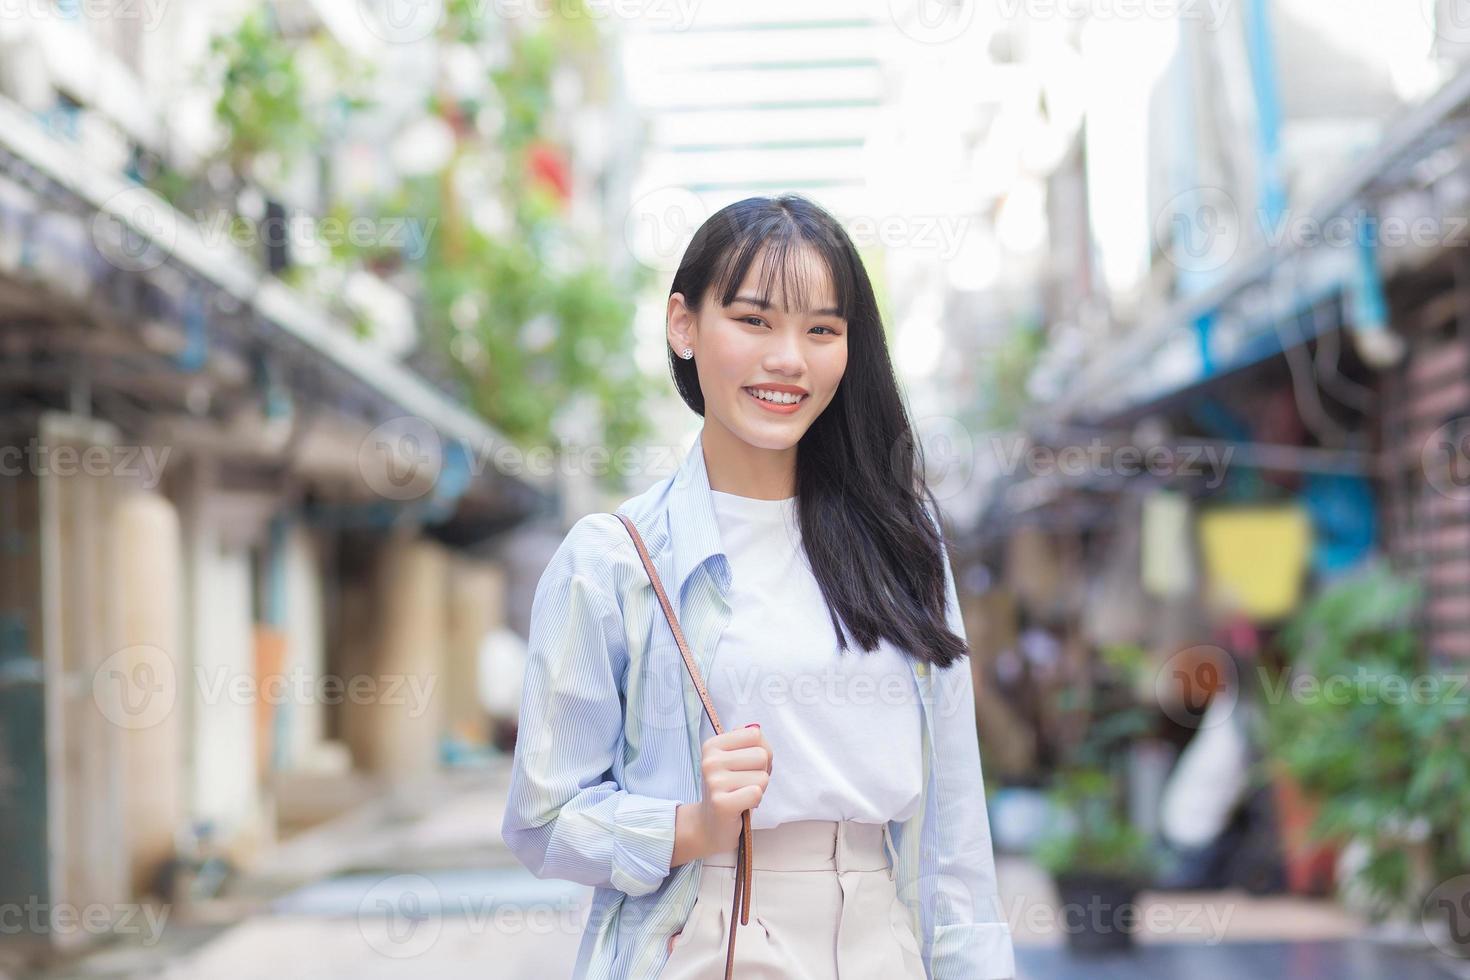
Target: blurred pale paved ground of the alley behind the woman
[421,887]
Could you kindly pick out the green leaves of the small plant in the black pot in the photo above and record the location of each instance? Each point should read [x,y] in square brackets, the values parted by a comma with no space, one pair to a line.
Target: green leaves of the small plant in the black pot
[1091,835]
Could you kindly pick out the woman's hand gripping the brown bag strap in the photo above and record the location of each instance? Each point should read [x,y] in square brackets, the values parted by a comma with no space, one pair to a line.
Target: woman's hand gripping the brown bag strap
[736,771]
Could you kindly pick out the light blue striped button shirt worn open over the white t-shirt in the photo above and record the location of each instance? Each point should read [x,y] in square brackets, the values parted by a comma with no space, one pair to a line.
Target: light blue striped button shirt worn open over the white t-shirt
[608,747]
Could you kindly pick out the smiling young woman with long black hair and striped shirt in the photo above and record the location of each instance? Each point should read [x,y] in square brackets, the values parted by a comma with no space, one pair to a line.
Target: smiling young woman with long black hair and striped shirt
[805,561]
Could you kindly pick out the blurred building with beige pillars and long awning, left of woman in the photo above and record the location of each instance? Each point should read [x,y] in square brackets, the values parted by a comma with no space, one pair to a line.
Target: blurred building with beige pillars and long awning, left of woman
[251,553]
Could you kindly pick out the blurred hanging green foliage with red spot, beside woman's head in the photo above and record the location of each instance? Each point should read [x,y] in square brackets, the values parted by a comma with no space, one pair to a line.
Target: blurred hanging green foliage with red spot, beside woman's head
[533,323]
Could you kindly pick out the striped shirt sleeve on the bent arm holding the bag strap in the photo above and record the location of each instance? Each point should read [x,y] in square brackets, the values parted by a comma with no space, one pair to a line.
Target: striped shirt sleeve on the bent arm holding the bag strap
[567,818]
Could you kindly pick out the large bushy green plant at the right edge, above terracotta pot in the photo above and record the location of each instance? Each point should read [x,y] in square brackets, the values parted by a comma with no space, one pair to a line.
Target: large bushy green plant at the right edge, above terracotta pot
[1385,765]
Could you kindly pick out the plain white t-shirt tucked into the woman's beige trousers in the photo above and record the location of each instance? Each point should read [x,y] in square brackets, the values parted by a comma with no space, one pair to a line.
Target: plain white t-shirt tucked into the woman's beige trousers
[845,727]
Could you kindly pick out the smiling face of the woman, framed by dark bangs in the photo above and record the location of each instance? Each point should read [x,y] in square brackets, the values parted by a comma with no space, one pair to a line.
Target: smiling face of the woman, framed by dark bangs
[767,371]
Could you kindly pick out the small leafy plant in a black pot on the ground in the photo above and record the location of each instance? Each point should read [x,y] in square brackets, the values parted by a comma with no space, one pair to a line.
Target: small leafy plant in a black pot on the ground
[1097,860]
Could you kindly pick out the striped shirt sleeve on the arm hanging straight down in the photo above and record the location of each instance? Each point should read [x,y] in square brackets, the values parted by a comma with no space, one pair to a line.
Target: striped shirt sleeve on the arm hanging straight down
[972,940]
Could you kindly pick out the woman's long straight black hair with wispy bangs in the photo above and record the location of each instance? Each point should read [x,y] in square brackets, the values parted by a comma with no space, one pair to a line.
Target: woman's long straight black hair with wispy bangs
[861,494]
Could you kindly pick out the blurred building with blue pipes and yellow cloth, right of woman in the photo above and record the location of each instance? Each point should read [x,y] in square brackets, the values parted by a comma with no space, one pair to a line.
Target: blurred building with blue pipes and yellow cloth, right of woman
[1253,374]
